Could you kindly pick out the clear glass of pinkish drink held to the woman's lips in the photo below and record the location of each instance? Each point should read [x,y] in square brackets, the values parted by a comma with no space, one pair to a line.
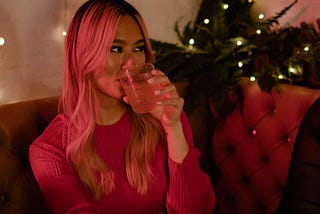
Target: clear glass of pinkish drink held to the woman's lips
[140,92]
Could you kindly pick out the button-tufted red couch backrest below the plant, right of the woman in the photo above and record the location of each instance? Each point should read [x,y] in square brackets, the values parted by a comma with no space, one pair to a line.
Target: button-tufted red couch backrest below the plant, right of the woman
[252,148]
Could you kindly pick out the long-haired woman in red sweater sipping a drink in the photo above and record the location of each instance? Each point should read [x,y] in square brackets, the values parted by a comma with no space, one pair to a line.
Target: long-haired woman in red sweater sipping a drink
[97,155]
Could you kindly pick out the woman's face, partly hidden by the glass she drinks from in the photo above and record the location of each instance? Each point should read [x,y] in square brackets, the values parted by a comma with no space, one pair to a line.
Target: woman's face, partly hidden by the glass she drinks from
[128,48]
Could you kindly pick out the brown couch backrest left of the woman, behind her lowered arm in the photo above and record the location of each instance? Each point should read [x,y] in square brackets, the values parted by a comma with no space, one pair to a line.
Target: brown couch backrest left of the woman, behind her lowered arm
[20,124]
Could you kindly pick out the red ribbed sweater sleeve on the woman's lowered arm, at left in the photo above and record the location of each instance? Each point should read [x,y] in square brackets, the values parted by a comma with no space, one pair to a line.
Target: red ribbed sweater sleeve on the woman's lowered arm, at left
[60,187]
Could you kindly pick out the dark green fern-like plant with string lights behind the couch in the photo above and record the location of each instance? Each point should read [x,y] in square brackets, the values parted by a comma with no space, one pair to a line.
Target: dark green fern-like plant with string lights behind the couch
[227,47]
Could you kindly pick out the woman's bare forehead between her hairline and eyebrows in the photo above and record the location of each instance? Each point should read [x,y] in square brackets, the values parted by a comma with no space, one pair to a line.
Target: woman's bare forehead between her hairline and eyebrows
[128,29]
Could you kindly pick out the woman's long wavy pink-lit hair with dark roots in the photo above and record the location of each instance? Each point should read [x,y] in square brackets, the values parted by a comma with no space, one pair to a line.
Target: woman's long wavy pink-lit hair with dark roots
[87,45]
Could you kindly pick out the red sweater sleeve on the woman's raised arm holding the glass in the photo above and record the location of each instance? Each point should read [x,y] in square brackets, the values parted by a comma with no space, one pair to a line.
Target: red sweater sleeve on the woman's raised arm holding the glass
[190,190]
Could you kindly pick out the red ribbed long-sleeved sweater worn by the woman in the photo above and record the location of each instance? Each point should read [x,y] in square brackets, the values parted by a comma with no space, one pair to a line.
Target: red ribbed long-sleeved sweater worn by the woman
[176,188]
